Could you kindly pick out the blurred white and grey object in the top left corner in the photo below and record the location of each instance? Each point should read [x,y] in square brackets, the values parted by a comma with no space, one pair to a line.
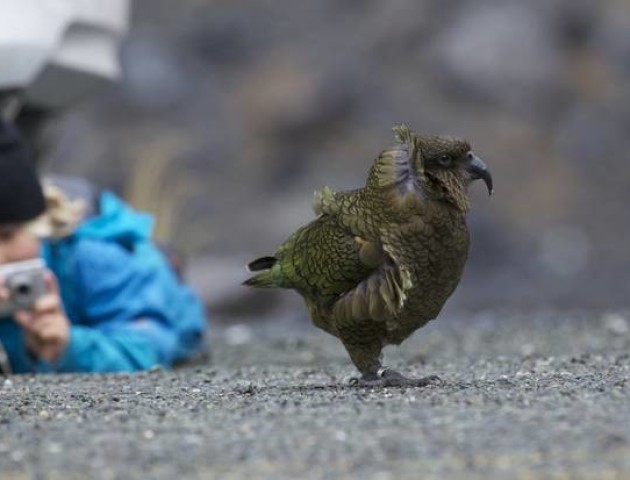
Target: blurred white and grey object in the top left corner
[57,51]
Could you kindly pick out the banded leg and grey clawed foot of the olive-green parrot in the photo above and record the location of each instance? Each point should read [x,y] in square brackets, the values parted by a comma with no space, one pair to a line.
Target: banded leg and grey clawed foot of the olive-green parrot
[367,357]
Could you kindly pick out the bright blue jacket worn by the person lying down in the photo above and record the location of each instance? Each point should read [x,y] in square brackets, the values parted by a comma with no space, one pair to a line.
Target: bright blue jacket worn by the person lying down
[128,311]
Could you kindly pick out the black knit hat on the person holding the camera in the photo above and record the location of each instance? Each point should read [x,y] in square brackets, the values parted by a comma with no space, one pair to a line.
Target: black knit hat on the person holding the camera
[21,195]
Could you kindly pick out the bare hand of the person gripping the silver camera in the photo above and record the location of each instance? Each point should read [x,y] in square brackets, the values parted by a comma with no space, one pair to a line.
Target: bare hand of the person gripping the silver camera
[46,326]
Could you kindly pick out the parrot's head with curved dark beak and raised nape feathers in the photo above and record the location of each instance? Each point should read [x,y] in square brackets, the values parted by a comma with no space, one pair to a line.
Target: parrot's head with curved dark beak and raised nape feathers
[443,166]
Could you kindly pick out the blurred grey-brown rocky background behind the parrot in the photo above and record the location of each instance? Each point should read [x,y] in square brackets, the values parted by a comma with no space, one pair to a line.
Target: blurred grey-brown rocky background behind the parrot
[230,114]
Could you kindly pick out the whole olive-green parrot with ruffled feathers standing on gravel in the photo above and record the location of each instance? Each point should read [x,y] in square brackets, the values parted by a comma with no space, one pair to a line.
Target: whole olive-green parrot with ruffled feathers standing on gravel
[380,261]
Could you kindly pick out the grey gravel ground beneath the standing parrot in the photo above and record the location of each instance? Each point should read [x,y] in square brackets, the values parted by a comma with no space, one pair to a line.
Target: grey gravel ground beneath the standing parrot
[524,396]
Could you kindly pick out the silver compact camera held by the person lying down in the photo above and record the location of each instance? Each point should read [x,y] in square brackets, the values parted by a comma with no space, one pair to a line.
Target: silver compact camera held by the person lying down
[25,282]
